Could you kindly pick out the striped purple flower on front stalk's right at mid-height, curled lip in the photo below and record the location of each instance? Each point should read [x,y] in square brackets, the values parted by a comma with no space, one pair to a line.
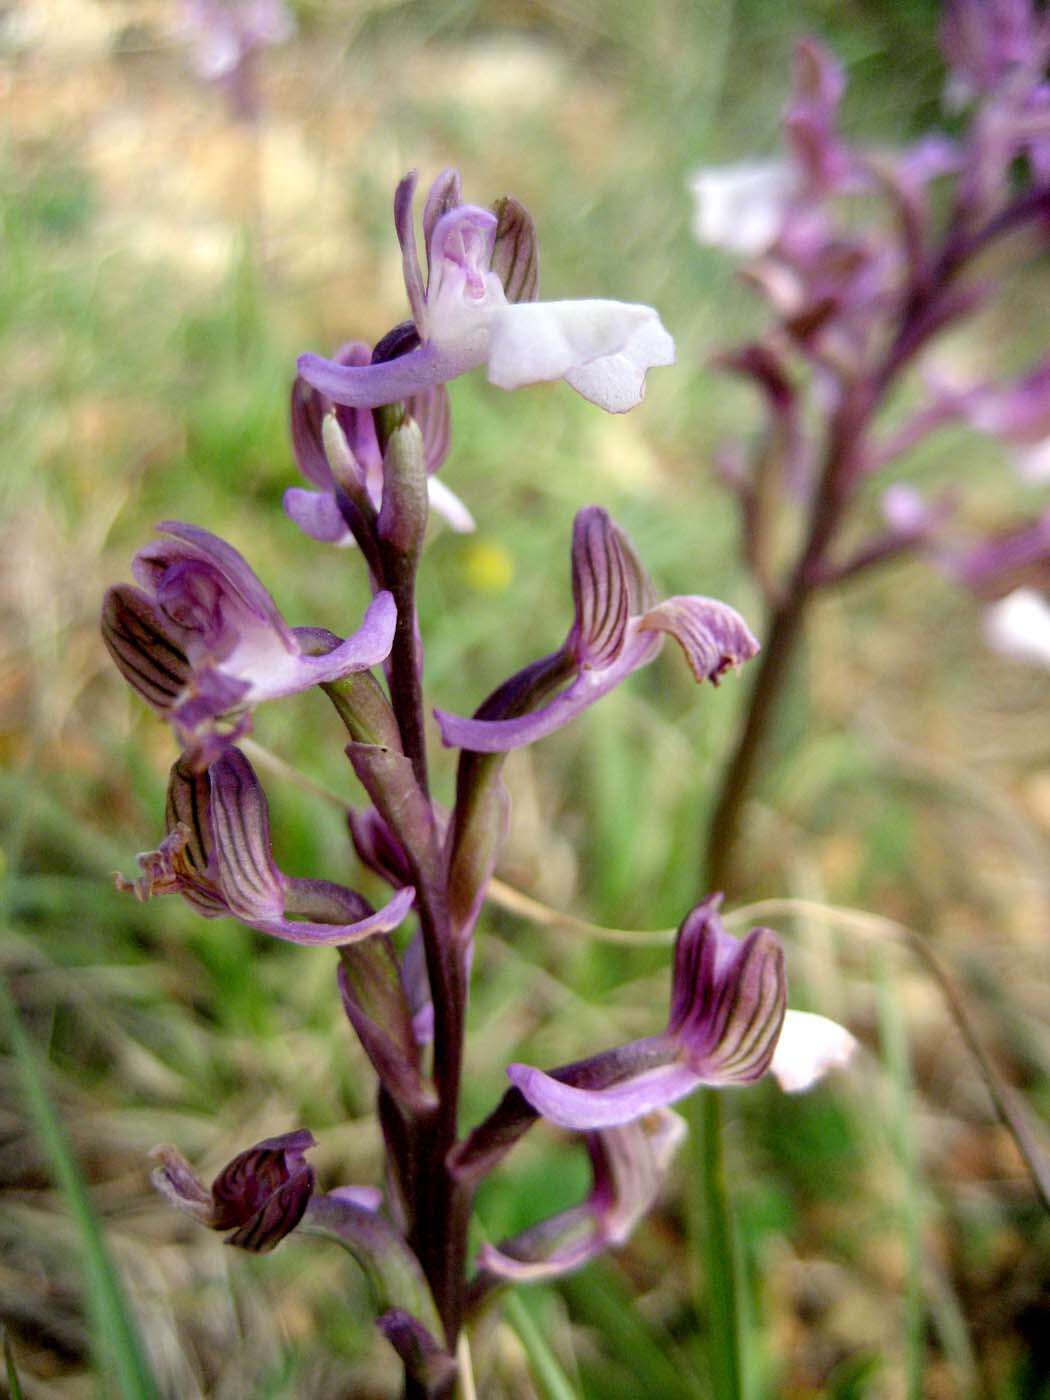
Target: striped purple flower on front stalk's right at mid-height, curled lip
[618,629]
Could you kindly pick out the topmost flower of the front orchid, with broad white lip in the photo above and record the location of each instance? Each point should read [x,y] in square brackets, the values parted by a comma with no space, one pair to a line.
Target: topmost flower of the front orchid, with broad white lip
[479,309]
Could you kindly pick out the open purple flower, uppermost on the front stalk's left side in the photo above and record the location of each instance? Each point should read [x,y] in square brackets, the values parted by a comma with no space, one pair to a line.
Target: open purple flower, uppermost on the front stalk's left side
[202,638]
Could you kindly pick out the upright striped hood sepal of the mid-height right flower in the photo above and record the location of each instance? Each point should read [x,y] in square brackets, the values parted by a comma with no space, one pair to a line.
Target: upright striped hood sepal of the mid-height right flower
[600,590]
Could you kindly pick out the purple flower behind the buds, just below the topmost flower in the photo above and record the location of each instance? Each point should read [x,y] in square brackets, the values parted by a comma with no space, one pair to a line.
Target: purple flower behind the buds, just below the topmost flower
[358,454]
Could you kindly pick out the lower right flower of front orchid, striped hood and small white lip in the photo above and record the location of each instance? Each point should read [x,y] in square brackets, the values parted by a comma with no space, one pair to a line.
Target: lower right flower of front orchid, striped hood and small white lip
[729,1025]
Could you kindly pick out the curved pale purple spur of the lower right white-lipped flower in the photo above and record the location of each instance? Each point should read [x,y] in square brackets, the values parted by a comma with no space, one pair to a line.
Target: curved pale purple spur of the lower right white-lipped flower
[580,1109]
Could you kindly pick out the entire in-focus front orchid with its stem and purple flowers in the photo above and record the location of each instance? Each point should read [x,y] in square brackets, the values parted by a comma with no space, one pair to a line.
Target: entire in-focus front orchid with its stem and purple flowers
[204,643]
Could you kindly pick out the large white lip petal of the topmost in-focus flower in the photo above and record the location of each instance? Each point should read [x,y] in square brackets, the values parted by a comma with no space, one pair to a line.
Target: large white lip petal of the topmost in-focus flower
[601,348]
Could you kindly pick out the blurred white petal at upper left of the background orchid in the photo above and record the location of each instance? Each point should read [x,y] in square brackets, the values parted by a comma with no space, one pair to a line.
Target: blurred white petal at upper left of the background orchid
[741,208]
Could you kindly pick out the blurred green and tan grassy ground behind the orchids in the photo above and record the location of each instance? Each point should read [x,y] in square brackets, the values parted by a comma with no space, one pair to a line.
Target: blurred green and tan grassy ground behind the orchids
[162,268]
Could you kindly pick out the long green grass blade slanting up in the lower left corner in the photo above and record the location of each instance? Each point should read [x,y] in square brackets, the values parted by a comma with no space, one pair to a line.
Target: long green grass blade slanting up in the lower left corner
[115,1335]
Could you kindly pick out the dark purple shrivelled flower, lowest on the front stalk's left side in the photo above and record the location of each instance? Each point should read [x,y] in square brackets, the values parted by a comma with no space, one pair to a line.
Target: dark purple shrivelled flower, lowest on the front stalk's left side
[261,1196]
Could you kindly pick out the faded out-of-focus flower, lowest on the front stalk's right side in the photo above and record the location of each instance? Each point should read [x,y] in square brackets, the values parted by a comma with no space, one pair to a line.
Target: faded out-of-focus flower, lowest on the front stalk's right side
[629,1165]
